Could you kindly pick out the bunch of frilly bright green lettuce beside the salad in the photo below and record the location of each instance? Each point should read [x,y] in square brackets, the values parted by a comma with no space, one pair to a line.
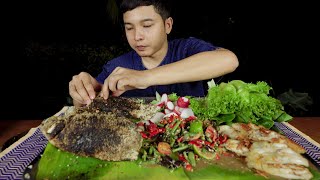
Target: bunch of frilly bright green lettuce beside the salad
[237,101]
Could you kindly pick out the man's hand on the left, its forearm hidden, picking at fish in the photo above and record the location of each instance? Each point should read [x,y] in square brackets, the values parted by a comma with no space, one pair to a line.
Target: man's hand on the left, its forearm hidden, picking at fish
[83,88]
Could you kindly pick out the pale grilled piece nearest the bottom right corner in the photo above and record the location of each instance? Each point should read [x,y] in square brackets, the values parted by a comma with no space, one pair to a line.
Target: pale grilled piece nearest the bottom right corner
[278,159]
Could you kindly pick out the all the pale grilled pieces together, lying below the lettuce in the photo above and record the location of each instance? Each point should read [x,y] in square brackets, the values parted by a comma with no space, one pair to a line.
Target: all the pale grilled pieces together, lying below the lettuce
[266,150]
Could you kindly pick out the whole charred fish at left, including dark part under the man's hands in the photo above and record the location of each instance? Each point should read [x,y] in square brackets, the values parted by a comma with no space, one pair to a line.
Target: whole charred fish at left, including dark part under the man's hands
[103,130]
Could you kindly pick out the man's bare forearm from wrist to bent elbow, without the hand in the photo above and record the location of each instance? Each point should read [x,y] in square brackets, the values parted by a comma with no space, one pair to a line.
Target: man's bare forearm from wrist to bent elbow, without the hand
[201,66]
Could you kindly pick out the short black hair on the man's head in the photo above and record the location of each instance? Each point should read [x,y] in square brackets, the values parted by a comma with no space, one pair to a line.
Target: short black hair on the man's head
[163,7]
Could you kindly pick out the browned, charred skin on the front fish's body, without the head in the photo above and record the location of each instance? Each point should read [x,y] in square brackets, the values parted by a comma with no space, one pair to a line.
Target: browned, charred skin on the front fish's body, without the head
[104,137]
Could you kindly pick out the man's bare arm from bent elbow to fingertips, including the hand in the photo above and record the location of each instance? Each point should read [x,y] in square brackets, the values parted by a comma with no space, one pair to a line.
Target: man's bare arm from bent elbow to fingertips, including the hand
[201,66]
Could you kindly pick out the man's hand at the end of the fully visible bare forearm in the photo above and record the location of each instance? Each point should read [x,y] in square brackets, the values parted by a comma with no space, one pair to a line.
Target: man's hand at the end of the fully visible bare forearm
[122,80]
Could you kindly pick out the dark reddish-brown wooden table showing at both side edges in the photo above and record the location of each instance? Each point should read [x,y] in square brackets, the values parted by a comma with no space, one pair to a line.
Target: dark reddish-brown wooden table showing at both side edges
[9,128]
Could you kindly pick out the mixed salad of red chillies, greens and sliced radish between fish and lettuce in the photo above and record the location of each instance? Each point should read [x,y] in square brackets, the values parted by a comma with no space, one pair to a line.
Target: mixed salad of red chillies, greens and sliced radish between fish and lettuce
[174,137]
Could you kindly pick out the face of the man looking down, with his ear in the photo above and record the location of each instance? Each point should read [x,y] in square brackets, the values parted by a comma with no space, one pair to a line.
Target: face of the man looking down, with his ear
[145,30]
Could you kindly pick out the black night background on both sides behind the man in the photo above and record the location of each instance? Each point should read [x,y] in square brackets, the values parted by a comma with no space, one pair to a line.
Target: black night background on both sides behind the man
[50,41]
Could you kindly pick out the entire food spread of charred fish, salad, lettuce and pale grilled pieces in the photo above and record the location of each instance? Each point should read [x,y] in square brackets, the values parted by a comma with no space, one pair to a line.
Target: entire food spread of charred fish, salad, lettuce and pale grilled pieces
[233,121]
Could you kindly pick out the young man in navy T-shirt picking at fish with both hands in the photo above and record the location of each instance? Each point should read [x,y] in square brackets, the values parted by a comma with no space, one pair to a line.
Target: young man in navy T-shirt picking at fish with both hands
[154,65]
